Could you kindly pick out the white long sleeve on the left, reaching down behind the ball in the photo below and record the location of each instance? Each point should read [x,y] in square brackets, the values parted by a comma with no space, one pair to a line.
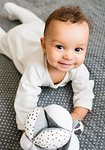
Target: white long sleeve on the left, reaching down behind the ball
[27,95]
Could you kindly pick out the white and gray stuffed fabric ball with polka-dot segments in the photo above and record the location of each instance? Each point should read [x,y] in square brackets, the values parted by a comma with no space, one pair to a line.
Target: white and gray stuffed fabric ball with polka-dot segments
[51,128]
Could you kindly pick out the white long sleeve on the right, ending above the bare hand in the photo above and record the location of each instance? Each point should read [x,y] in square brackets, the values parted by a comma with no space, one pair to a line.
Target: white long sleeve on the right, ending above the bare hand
[82,88]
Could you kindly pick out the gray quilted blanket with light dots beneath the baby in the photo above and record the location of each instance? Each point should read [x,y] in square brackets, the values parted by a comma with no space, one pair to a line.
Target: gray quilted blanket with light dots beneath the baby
[93,137]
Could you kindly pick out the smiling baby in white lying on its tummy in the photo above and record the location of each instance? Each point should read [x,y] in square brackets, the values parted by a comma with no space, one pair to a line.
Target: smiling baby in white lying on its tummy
[52,59]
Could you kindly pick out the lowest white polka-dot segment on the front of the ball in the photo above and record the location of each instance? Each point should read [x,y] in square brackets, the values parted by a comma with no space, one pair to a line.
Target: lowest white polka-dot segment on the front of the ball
[51,138]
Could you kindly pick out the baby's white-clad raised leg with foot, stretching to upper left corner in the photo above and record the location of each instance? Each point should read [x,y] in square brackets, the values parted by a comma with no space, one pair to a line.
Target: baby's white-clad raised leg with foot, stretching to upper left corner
[16,12]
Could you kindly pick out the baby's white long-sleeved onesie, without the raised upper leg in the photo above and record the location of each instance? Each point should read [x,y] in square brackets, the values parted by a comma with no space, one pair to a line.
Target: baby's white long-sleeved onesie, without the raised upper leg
[22,45]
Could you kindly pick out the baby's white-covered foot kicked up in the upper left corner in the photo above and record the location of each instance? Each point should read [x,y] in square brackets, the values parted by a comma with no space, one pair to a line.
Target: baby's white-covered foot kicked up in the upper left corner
[12,10]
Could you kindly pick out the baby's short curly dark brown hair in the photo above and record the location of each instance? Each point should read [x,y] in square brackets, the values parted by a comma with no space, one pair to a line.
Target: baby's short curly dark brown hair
[67,13]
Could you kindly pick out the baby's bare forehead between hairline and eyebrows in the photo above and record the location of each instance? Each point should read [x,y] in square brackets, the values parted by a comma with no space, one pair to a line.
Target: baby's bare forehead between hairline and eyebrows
[67,33]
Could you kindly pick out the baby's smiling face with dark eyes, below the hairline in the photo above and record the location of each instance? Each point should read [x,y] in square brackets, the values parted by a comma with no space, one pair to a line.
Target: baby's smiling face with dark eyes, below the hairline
[65,45]
